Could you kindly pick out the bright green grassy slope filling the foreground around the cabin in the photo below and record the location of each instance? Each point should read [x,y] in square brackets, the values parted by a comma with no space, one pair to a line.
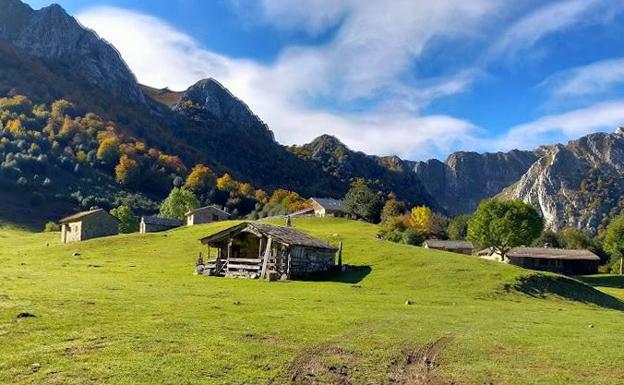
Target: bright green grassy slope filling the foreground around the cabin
[128,310]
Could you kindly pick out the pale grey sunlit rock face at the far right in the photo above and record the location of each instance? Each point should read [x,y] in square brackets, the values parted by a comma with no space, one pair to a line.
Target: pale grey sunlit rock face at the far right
[579,184]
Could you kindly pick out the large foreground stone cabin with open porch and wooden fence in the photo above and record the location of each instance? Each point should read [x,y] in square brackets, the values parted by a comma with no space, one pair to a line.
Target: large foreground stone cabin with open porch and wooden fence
[259,250]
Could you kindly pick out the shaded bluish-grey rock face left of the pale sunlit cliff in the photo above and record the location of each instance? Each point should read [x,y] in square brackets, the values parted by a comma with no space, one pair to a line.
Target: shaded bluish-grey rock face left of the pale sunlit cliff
[466,178]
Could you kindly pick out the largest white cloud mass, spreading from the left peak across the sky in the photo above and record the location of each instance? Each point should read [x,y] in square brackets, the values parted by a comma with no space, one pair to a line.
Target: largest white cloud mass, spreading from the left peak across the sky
[368,57]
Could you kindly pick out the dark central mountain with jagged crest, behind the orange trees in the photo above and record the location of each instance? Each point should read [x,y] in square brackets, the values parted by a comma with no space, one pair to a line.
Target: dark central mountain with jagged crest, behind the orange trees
[391,174]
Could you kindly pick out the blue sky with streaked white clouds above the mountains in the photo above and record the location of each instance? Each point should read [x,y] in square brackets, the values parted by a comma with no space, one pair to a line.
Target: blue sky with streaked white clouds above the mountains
[414,78]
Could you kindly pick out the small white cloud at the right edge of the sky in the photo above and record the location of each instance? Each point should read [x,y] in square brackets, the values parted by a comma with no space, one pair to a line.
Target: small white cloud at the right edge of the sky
[595,79]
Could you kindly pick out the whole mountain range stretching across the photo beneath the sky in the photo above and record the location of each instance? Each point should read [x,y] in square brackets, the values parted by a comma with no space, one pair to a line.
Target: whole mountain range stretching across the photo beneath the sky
[47,55]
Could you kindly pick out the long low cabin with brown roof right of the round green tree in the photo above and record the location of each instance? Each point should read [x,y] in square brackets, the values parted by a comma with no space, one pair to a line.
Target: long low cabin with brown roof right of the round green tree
[571,262]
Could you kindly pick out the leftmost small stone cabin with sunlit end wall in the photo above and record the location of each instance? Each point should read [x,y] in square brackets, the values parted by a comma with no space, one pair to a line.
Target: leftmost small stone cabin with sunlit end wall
[87,225]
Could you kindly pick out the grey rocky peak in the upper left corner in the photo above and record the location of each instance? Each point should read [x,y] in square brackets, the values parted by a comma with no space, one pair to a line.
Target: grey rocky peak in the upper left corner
[57,38]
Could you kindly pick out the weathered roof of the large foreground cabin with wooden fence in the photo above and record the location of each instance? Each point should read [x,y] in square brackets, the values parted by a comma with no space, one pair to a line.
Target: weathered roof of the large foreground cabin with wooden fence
[285,235]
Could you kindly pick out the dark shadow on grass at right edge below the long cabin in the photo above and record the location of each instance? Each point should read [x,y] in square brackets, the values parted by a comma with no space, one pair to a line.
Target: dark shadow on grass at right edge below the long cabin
[540,286]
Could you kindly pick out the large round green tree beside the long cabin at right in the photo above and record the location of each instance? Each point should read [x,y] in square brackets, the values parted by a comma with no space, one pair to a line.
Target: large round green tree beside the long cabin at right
[503,225]
